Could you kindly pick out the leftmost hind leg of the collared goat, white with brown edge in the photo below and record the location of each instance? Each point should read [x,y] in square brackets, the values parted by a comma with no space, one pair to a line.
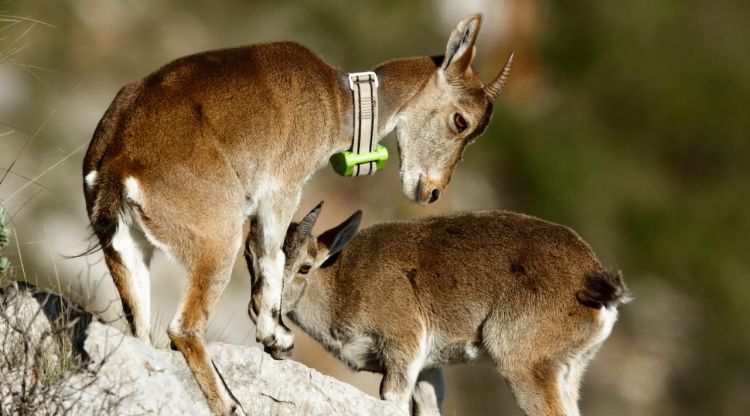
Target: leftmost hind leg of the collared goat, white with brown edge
[128,259]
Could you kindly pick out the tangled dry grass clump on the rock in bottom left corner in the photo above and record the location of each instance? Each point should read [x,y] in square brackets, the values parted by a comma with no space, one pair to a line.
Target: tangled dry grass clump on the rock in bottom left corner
[41,353]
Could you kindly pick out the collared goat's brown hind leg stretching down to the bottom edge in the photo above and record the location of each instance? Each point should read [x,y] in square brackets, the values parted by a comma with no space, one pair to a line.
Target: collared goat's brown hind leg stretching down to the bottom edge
[208,274]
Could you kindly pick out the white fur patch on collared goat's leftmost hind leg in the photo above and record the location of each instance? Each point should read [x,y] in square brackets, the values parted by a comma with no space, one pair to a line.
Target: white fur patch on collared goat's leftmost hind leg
[135,254]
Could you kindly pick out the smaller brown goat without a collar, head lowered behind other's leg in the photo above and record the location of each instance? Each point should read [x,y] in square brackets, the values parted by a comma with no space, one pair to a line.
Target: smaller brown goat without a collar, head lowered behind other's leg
[406,298]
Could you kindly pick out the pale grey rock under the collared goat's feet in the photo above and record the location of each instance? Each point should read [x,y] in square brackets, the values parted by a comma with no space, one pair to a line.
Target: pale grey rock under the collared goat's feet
[125,377]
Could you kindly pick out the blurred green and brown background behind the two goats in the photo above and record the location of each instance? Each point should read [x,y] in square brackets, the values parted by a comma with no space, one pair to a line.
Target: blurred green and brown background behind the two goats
[627,121]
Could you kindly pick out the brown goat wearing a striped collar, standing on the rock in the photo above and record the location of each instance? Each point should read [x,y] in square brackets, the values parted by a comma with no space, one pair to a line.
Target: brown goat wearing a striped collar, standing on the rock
[184,156]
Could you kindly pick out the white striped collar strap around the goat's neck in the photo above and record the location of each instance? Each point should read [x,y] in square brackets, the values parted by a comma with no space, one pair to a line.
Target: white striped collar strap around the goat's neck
[364,86]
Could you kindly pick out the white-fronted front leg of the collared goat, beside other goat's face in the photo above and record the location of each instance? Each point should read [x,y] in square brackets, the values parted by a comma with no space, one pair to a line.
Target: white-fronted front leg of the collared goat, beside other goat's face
[273,219]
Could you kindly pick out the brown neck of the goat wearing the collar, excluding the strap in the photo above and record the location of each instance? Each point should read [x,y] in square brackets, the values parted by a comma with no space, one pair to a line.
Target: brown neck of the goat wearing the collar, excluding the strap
[400,80]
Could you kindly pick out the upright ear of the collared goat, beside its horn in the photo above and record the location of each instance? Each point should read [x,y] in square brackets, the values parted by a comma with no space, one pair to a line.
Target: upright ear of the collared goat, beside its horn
[460,50]
